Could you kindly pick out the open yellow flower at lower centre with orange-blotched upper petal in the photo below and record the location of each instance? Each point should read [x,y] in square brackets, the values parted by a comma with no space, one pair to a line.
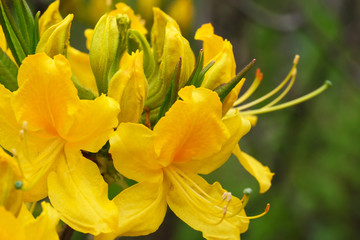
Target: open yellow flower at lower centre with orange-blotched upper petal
[191,139]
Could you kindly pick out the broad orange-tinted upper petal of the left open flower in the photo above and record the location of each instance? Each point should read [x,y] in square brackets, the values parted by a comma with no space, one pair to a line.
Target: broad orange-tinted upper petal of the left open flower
[46,97]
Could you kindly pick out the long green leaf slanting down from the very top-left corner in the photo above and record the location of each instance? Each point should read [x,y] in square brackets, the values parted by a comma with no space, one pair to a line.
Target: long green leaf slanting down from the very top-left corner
[14,40]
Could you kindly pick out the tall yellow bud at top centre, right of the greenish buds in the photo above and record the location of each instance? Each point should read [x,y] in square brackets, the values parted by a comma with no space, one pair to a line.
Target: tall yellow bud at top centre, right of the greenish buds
[169,46]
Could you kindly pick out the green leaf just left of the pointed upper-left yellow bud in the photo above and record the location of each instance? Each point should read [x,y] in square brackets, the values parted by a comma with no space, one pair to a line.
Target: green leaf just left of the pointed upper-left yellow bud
[26,23]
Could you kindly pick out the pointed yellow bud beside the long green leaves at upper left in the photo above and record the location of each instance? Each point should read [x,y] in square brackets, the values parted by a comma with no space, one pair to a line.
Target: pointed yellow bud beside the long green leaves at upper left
[55,40]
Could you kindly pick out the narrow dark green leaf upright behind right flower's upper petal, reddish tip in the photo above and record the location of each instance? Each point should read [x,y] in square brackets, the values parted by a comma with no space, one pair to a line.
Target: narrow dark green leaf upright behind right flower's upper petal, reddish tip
[172,93]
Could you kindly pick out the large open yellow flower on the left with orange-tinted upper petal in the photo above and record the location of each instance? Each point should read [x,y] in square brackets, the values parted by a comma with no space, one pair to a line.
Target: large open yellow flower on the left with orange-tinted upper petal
[45,125]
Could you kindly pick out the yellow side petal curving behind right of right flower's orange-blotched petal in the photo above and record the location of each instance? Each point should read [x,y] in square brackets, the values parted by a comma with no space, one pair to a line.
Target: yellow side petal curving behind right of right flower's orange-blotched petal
[237,127]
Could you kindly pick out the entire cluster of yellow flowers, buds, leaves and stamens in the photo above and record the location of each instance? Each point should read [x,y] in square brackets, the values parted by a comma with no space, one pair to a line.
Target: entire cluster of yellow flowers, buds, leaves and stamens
[74,123]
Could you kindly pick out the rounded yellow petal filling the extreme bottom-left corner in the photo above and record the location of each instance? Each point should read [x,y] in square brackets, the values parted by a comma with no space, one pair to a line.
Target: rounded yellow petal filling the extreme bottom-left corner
[10,228]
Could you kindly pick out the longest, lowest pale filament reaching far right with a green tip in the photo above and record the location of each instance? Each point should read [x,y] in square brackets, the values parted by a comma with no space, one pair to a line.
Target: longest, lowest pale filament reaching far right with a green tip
[304,98]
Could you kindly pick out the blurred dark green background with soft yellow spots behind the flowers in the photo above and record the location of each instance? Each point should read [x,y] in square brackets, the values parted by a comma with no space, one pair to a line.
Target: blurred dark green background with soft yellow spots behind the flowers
[313,148]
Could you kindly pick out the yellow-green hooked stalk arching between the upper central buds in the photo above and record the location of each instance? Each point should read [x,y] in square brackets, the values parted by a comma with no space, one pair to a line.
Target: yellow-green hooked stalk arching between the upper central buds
[134,41]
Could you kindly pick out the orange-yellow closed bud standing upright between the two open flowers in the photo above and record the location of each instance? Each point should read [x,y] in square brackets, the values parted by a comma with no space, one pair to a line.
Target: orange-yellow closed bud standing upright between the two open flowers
[129,88]
